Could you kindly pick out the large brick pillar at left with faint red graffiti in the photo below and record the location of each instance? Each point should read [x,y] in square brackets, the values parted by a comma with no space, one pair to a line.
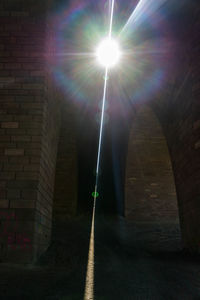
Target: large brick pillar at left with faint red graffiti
[27,132]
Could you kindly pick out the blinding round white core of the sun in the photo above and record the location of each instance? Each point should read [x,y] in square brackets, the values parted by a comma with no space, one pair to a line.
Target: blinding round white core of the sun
[108,53]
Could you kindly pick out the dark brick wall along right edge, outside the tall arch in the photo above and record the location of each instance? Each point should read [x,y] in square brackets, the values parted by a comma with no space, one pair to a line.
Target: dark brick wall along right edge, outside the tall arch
[179,112]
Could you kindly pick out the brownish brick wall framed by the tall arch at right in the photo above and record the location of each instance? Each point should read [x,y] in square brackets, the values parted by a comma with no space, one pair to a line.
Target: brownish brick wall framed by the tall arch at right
[150,194]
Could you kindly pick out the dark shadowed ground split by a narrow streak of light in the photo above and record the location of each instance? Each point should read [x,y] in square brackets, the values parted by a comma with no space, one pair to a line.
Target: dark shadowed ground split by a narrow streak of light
[131,261]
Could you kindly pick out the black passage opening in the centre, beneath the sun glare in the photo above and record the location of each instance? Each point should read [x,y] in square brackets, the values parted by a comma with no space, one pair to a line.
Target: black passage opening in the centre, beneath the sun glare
[111,179]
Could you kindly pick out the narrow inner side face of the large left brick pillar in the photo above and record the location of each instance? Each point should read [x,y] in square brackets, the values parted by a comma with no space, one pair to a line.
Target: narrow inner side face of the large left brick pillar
[49,142]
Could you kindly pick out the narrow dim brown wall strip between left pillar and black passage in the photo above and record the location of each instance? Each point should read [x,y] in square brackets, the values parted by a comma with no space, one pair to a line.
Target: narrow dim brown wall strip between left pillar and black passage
[65,191]
